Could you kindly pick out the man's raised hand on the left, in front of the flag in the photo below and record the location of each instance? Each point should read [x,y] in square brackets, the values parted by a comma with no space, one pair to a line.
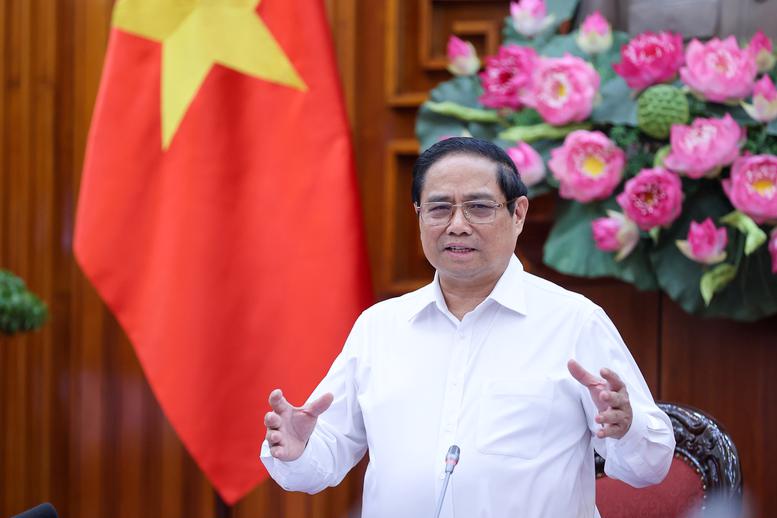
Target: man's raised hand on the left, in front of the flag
[289,427]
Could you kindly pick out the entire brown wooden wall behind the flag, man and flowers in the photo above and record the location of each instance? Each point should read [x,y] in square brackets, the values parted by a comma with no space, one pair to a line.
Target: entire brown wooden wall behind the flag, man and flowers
[80,425]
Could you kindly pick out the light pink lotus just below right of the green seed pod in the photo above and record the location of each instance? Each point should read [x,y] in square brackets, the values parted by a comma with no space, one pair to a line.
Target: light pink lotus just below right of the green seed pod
[704,147]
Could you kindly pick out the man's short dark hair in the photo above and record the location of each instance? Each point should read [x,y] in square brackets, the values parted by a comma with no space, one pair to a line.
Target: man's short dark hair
[506,174]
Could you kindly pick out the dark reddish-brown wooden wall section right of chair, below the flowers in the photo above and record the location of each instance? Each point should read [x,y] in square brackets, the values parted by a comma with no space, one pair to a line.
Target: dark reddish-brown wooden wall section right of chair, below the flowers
[729,370]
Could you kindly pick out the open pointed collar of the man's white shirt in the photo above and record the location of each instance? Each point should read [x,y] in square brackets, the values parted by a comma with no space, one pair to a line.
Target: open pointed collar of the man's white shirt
[508,292]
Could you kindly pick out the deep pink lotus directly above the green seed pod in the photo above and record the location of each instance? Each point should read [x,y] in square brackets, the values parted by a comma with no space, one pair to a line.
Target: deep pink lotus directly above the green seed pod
[650,58]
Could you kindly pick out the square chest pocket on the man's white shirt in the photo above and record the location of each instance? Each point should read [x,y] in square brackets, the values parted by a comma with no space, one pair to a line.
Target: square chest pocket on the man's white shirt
[513,416]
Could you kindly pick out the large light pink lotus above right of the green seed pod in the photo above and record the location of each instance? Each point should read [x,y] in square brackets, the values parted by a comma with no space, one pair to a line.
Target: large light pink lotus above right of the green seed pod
[719,70]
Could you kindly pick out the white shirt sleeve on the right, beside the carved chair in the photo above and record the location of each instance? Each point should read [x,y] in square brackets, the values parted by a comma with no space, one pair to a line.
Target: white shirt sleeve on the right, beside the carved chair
[644,454]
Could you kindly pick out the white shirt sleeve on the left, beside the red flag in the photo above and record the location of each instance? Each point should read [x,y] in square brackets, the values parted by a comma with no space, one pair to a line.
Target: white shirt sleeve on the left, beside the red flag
[339,440]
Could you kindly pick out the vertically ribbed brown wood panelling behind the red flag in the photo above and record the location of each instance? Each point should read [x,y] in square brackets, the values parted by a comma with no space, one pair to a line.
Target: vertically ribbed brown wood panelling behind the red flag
[81,427]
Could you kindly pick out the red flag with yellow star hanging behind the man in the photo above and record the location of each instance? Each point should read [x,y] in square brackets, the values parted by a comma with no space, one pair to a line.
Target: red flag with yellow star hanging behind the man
[218,216]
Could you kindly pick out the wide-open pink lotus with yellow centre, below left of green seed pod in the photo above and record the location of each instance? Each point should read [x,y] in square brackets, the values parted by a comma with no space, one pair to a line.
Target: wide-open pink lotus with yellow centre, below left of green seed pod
[588,166]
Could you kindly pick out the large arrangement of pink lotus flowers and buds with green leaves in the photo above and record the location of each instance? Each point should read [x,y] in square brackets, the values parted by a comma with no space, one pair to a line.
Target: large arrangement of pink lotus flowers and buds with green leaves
[662,153]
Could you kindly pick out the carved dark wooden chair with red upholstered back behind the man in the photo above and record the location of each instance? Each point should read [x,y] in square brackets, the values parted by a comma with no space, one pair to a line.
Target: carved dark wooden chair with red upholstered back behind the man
[705,464]
